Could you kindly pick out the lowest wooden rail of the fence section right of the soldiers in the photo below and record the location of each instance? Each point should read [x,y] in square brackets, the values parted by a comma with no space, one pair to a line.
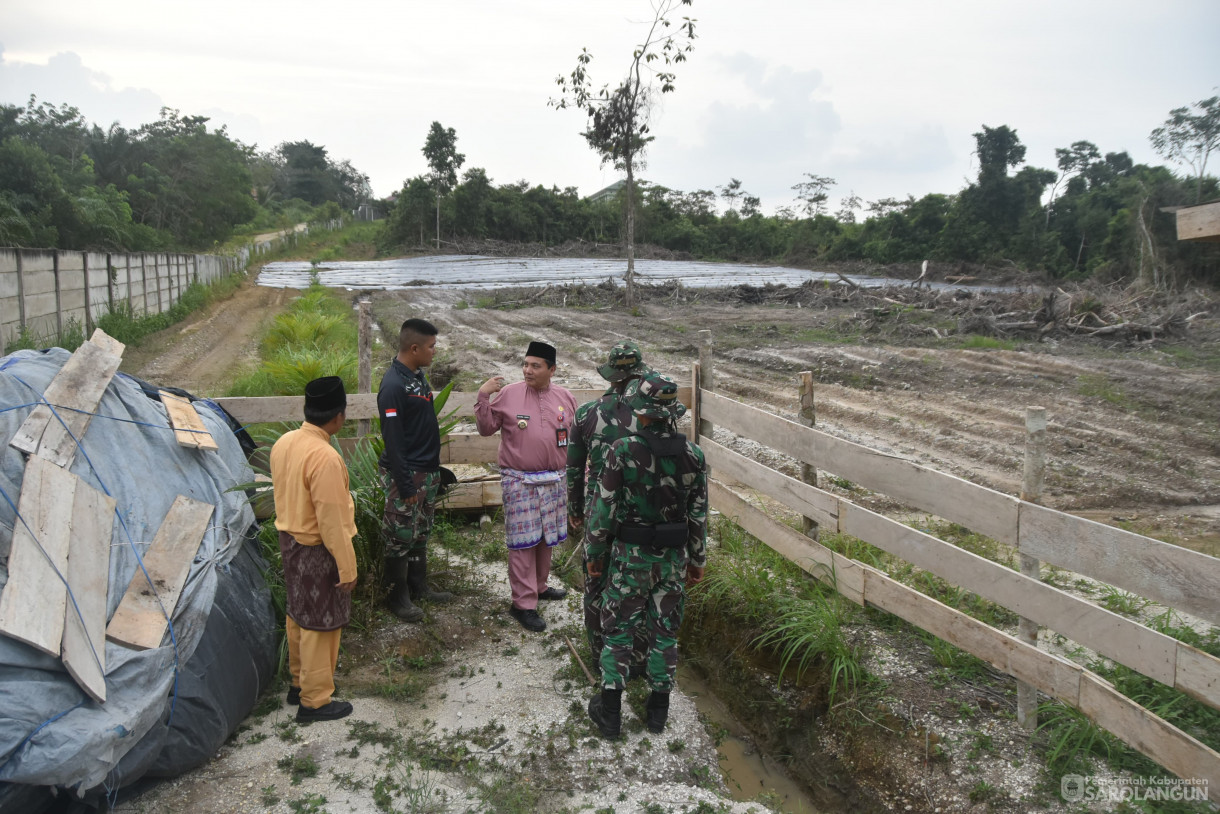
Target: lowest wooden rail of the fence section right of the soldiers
[1094,696]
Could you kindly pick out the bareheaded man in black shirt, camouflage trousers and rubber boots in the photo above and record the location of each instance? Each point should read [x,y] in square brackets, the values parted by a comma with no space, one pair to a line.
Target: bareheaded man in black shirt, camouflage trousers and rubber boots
[411,469]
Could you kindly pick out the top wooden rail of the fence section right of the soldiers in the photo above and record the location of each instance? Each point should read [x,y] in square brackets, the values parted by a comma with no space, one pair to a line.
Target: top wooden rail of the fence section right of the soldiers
[1172,575]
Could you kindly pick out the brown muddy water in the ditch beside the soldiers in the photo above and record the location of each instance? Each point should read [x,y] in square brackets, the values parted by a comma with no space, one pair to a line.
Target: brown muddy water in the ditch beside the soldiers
[747,773]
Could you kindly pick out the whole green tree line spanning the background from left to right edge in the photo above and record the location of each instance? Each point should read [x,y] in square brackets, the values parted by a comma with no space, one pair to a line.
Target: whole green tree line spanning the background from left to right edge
[178,184]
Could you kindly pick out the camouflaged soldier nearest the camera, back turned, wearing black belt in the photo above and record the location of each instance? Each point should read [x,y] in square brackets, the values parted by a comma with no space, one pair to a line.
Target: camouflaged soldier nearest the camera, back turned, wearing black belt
[648,524]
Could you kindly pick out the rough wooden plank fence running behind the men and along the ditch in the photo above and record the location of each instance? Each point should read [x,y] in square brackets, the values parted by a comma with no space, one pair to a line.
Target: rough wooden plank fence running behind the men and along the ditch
[1174,577]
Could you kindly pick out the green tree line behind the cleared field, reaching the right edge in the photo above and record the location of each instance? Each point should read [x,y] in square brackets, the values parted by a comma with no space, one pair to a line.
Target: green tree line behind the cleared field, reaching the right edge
[1095,215]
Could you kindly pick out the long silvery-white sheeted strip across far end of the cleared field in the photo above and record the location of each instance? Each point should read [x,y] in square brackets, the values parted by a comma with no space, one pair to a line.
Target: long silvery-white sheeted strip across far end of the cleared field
[476,273]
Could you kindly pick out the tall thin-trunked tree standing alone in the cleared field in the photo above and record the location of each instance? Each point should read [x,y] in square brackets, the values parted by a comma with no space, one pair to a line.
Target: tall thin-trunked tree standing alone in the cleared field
[619,120]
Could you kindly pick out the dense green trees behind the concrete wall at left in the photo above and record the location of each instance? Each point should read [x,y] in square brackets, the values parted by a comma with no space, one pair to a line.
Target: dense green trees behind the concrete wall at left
[174,184]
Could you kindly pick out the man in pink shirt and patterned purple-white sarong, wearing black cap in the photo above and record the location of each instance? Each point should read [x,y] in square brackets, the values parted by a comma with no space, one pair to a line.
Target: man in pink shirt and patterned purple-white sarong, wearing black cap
[535,419]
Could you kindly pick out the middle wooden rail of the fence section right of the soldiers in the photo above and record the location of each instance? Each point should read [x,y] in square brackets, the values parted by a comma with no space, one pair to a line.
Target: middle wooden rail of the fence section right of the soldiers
[1118,638]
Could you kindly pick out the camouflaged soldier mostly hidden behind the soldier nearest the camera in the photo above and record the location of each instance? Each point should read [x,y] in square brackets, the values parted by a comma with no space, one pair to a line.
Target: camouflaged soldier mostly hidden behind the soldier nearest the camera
[597,427]
